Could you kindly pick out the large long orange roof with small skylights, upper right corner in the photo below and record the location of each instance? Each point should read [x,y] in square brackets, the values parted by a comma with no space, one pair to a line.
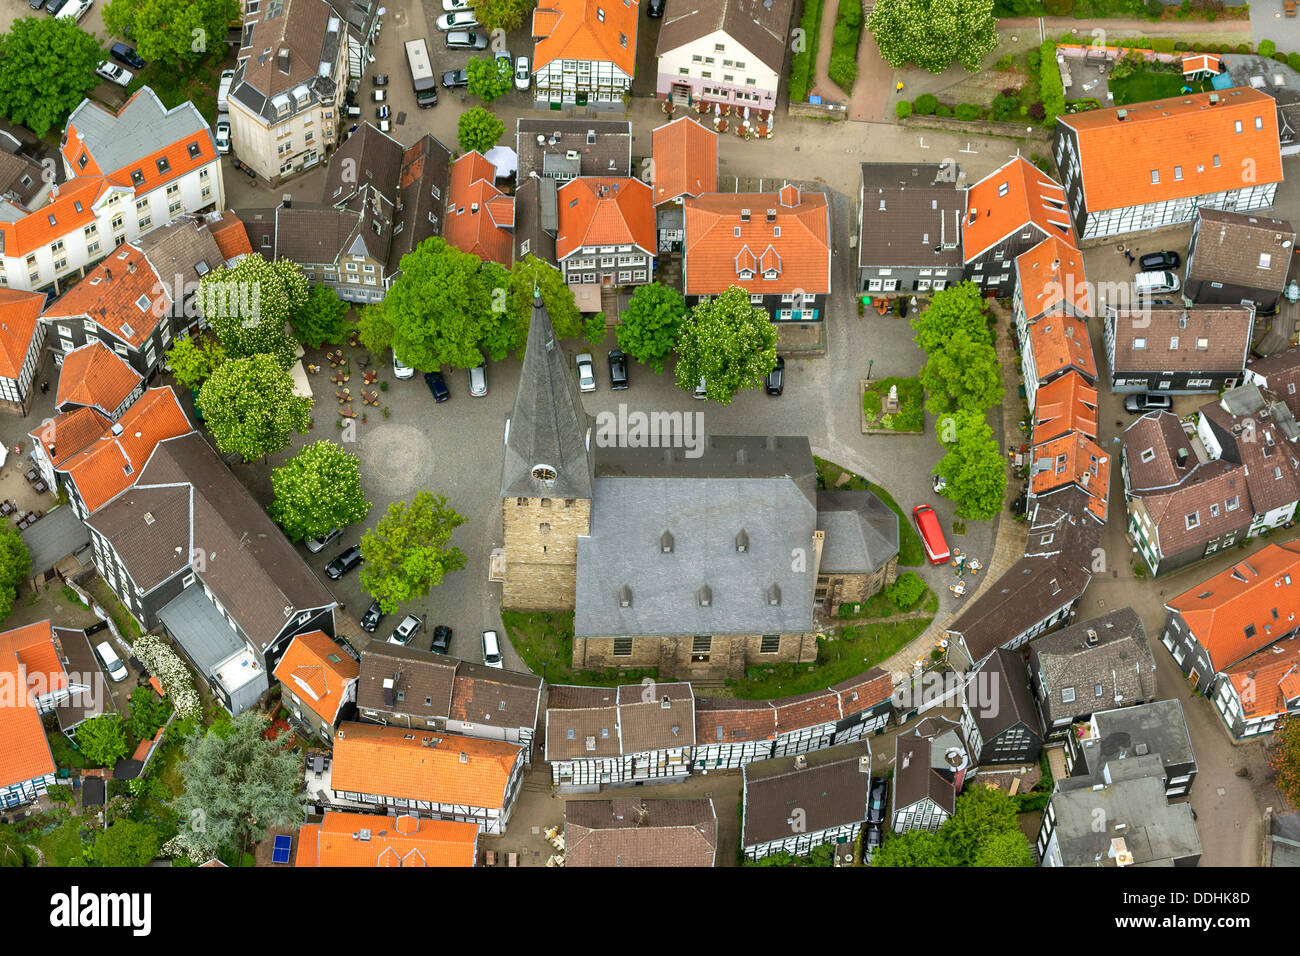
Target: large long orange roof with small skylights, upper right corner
[1193,148]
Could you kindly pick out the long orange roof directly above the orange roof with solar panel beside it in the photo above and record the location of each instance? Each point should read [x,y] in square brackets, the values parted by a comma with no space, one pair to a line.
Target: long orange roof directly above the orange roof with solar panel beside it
[422,765]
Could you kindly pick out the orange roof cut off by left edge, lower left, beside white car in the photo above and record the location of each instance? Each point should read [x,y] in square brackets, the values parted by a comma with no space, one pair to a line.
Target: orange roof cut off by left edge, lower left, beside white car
[28,660]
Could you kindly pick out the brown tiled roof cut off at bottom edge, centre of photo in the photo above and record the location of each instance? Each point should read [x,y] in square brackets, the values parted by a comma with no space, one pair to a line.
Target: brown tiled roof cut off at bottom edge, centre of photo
[640,833]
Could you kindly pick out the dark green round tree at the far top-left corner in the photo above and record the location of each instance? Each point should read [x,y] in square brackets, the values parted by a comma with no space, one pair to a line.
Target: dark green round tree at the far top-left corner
[47,68]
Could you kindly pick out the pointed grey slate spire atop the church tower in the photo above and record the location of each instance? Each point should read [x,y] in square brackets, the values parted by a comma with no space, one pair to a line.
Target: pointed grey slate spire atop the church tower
[547,443]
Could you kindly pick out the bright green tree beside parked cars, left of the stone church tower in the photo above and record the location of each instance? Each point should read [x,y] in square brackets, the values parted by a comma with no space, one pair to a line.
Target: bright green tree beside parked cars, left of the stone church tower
[410,551]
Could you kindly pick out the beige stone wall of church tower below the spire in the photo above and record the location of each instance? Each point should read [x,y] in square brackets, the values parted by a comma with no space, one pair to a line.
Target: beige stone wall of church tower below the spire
[541,552]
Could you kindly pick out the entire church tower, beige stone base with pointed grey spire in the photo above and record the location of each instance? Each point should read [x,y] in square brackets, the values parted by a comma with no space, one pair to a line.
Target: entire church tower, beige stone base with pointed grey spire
[548,478]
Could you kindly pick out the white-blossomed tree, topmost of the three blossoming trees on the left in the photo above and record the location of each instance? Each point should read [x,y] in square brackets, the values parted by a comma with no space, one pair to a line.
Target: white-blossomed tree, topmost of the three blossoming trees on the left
[250,305]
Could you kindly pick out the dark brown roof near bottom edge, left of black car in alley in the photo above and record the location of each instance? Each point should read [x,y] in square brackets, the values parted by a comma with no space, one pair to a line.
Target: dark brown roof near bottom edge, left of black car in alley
[829,786]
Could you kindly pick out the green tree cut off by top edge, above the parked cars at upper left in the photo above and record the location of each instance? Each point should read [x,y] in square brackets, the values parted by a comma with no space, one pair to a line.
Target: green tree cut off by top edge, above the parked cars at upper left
[176,33]
